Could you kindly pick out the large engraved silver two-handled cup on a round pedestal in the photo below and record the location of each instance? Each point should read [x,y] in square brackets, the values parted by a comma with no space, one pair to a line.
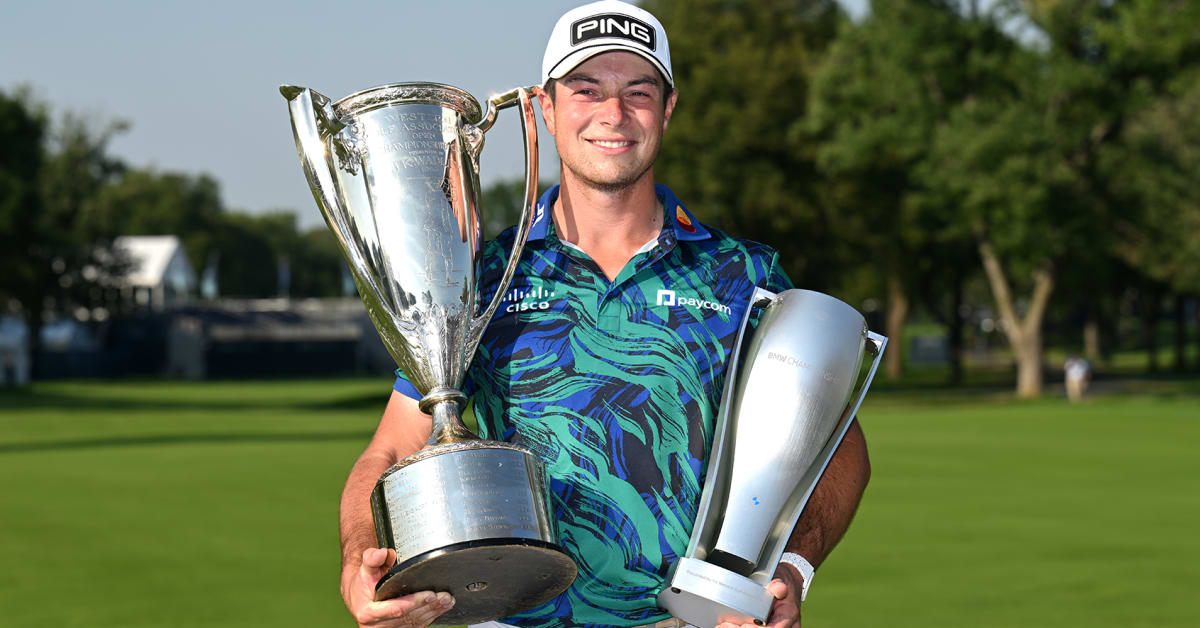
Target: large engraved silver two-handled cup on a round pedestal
[395,172]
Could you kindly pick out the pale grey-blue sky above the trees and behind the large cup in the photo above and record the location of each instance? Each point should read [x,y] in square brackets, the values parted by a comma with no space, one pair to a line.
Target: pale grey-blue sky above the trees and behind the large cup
[199,82]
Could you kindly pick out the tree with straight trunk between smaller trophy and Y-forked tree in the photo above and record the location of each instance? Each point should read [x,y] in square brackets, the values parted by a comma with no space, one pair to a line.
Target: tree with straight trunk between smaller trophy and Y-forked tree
[878,101]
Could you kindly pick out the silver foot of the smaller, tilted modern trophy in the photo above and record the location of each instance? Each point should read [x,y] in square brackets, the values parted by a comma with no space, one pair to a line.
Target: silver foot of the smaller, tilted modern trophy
[705,595]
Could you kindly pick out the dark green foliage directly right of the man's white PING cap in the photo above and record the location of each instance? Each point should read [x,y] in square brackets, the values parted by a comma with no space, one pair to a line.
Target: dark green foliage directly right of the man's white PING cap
[736,152]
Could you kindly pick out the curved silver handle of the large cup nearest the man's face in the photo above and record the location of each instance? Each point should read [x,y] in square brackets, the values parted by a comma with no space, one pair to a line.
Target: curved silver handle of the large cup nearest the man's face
[530,127]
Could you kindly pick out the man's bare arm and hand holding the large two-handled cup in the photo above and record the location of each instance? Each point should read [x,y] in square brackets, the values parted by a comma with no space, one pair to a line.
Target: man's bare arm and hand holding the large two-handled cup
[403,430]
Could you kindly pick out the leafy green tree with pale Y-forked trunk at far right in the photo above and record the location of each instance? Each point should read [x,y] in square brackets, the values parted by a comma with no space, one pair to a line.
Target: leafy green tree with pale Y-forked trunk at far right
[1031,168]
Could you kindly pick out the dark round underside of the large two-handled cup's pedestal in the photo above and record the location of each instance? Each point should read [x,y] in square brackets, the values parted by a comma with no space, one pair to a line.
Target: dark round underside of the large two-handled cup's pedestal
[489,579]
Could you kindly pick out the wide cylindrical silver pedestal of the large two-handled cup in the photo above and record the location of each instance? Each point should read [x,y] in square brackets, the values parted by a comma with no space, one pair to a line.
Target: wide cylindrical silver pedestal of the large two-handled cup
[471,519]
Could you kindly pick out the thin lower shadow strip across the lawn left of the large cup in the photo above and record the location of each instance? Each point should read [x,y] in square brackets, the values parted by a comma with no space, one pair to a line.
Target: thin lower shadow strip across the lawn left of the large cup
[184,439]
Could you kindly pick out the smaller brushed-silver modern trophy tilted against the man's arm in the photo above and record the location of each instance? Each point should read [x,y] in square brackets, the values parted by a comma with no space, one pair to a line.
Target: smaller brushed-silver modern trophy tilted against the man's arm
[789,399]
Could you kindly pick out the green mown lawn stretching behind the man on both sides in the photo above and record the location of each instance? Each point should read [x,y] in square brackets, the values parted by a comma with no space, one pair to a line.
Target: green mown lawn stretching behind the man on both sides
[215,505]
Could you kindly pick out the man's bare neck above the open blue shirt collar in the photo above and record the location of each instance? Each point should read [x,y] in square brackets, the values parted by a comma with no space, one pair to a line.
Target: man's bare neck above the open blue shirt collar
[610,226]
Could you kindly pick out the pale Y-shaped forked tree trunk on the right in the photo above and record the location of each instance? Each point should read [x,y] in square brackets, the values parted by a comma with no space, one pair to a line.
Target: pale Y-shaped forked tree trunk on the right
[1024,334]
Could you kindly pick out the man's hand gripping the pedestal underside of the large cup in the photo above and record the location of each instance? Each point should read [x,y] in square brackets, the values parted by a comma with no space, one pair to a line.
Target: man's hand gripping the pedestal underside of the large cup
[416,611]
